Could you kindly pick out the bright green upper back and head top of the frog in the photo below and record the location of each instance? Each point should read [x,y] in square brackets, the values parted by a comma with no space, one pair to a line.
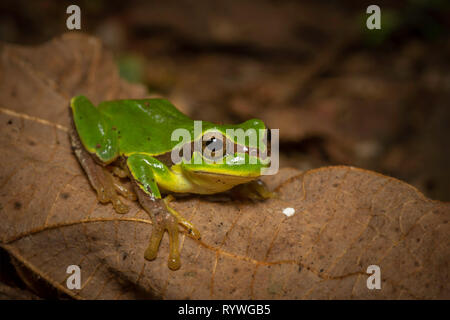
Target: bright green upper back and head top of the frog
[145,126]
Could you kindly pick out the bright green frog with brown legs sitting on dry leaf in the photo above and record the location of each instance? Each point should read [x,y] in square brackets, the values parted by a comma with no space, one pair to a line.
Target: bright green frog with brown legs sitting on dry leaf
[132,140]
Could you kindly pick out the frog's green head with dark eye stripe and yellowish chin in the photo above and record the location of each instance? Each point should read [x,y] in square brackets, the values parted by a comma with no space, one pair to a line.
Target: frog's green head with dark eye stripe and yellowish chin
[228,155]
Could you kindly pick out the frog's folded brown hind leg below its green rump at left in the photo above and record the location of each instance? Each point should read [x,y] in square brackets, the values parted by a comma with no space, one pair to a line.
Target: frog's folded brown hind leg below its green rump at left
[99,177]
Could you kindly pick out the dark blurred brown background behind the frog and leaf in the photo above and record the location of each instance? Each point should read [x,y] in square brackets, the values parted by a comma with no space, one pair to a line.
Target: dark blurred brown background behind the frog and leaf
[338,92]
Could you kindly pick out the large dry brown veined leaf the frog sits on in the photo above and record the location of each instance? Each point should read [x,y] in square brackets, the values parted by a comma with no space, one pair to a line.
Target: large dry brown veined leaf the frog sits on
[346,218]
